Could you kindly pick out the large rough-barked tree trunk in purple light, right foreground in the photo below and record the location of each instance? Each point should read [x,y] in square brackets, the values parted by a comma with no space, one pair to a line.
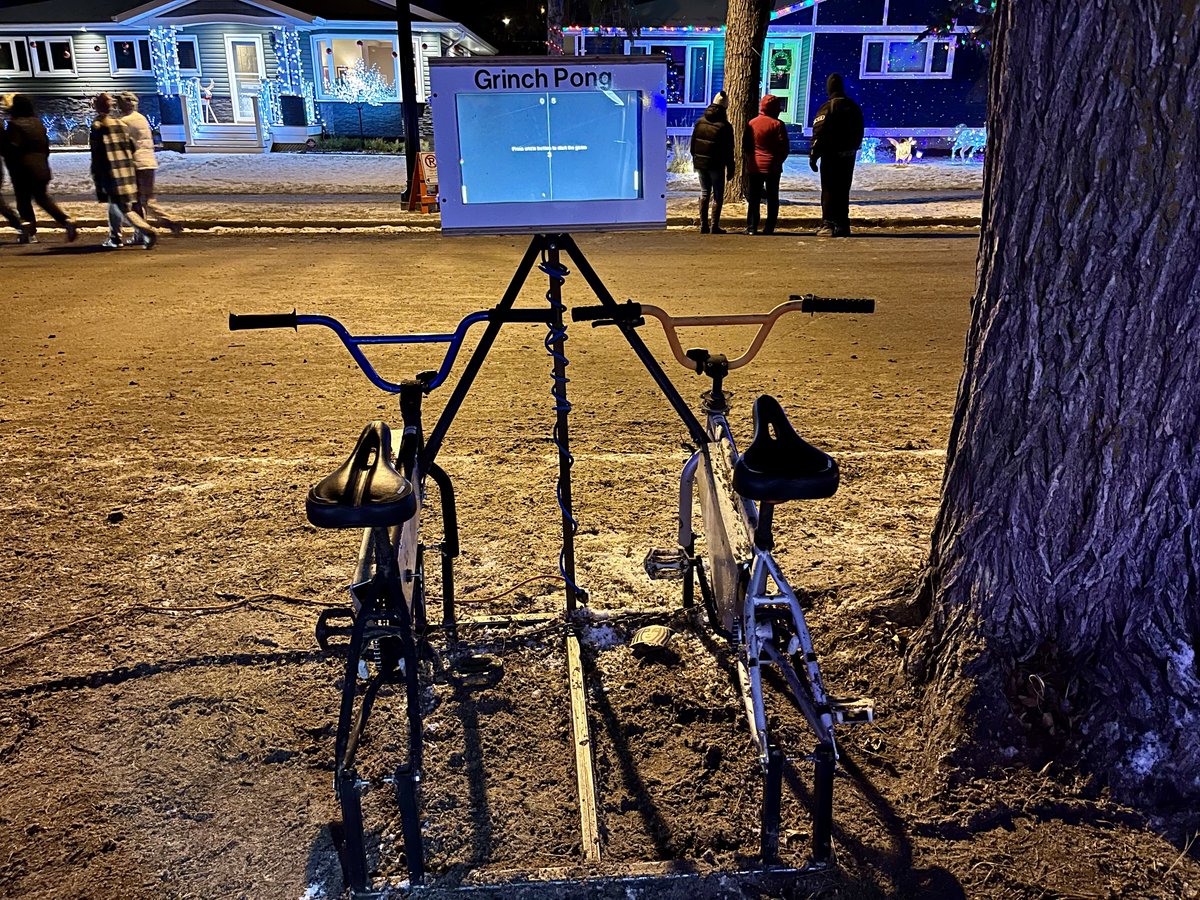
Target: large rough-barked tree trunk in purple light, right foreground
[1065,573]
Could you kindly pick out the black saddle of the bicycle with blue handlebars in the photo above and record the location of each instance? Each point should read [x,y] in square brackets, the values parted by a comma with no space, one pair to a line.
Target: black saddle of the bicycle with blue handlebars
[365,491]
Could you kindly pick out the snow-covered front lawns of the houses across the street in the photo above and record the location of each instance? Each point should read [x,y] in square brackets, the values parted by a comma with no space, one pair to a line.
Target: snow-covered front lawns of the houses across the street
[365,173]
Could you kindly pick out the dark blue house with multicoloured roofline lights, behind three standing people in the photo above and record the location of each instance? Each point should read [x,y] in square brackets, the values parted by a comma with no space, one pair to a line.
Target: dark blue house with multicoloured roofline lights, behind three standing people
[922,89]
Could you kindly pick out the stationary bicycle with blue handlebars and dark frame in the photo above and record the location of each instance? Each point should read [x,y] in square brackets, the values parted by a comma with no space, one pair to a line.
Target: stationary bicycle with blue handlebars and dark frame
[385,629]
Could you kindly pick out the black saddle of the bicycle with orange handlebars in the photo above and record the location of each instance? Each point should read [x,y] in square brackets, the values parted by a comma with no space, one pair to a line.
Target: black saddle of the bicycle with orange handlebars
[781,465]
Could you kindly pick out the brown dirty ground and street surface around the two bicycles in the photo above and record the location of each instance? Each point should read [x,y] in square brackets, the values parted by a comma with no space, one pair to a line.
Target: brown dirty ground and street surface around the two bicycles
[166,718]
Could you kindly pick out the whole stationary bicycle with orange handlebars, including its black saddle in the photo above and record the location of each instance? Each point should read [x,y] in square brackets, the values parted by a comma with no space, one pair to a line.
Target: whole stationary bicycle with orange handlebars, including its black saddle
[739,493]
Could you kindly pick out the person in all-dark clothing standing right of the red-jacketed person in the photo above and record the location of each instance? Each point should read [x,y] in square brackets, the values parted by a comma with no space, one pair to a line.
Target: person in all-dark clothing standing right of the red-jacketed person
[837,136]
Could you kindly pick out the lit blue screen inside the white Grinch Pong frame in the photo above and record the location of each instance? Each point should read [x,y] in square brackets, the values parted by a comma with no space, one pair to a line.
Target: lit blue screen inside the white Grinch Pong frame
[539,147]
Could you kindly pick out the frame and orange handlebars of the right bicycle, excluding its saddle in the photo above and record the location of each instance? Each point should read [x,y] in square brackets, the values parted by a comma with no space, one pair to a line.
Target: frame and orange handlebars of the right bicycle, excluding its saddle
[765,627]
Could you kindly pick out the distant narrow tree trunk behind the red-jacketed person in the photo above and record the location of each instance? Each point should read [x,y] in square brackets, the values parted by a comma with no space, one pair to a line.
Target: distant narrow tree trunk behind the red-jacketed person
[746,33]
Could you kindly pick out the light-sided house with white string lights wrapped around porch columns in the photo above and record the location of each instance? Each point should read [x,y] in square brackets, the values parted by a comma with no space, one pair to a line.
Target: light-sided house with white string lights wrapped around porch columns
[221,75]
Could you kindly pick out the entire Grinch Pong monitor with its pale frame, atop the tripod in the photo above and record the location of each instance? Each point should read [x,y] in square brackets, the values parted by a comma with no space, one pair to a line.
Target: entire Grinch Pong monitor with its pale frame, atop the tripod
[550,145]
